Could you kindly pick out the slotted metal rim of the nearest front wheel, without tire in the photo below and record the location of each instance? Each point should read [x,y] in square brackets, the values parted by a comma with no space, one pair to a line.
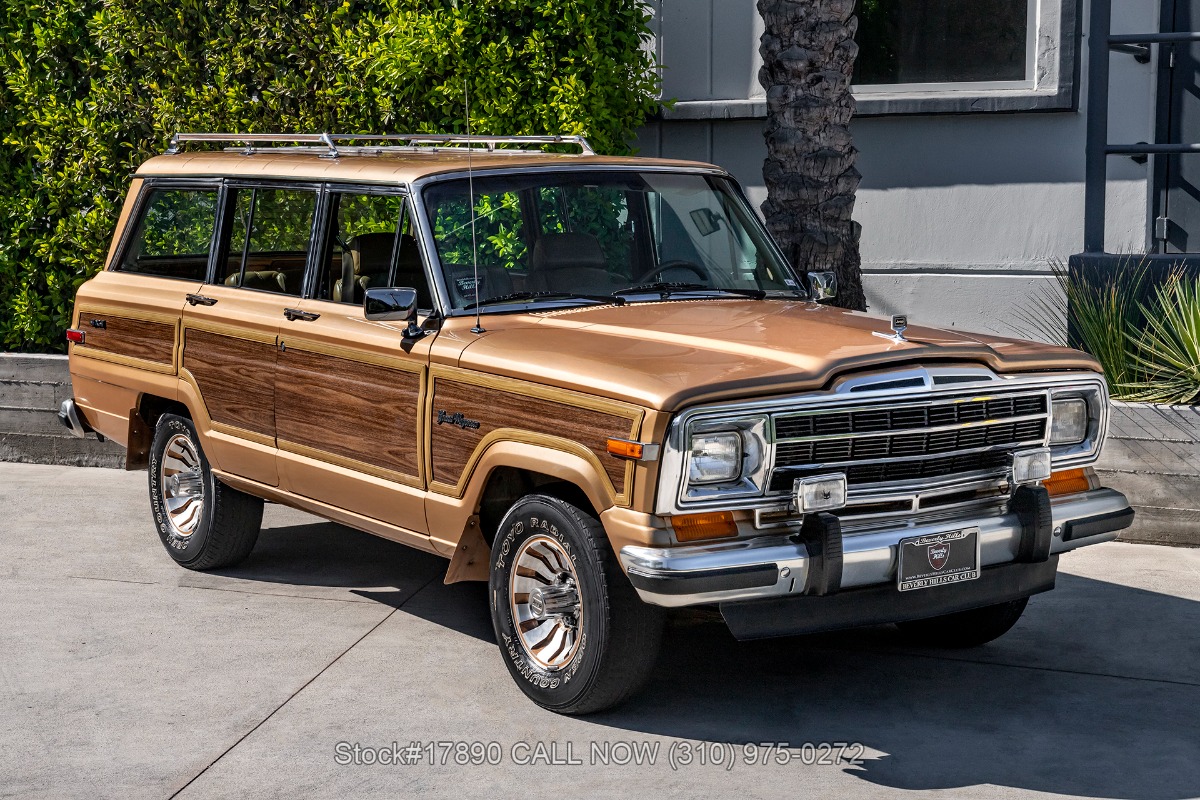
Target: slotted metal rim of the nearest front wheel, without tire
[545,599]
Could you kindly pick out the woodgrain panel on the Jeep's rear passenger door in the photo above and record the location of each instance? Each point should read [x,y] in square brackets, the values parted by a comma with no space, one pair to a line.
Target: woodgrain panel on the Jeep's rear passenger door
[236,378]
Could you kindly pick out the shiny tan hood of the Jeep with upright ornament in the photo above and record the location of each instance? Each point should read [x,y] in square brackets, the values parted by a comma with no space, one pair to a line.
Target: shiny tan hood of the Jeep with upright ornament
[667,356]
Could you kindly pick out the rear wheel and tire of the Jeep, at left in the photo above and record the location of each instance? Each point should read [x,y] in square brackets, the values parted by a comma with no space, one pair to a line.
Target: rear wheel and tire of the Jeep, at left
[203,524]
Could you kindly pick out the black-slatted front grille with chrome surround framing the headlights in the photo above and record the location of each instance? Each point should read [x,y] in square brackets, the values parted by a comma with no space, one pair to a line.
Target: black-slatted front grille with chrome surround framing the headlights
[904,437]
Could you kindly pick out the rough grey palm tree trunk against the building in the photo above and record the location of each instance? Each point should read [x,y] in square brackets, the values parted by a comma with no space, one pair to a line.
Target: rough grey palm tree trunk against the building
[808,57]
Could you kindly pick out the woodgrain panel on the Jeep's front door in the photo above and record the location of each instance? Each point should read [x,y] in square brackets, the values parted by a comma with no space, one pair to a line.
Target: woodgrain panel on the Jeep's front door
[357,411]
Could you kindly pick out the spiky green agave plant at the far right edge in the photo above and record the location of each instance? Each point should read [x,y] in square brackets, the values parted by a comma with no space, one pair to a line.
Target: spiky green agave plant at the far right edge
[1168,352]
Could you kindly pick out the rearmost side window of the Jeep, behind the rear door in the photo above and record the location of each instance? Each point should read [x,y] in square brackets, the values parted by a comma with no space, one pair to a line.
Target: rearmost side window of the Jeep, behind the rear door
[173,236]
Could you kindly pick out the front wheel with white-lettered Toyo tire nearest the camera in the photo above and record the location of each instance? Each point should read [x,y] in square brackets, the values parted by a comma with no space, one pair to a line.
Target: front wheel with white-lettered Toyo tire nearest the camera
[572,630]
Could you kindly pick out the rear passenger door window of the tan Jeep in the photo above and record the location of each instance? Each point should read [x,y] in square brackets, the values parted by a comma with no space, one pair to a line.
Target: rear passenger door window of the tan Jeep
[269,239]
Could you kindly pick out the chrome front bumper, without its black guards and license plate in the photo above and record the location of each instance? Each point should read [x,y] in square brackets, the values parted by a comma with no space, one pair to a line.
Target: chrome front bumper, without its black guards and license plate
[778,566]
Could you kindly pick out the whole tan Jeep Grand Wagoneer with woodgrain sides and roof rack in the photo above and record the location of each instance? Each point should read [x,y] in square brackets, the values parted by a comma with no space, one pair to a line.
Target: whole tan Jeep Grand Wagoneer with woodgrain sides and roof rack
[595,383]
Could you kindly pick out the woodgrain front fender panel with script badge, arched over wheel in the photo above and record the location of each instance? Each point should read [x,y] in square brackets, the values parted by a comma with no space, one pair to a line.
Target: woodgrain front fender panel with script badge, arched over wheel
[453,446]
